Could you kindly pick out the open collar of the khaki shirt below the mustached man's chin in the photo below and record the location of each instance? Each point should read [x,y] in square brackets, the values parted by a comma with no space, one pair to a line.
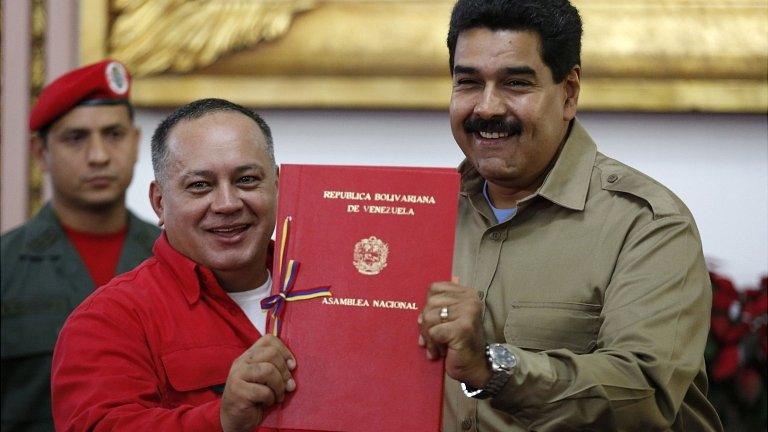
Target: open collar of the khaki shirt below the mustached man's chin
[567,182]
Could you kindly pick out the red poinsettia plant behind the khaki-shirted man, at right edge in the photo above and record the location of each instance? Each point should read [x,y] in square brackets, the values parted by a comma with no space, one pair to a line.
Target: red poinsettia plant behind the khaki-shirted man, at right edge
[736,353]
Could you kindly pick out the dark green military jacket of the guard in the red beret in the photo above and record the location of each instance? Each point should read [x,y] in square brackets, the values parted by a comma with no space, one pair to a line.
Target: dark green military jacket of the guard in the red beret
[43,279]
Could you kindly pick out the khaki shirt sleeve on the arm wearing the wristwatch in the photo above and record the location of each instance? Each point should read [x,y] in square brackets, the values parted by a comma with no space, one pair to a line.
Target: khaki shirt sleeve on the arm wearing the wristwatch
[649,347]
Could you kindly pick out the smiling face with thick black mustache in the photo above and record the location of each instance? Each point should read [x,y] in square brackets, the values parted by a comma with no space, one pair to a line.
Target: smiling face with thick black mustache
[507,114]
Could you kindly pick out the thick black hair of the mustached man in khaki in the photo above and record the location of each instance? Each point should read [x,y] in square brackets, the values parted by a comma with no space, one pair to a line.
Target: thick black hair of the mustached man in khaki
[557,23]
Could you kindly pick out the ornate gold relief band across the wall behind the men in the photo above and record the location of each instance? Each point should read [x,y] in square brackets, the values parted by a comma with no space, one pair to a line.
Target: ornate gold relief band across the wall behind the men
[652,55]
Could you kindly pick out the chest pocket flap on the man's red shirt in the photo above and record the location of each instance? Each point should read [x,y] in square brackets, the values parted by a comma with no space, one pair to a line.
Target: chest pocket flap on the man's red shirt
[199,367]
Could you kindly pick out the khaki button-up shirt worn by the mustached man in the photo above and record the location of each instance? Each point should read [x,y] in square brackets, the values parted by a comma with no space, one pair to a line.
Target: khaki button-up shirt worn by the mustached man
[598,285]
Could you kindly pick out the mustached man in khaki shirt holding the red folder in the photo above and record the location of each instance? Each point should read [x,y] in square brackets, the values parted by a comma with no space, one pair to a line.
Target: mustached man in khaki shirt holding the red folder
[582,298]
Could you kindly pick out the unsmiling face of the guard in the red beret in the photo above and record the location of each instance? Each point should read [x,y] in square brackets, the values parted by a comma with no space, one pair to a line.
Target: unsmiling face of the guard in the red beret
[90,153]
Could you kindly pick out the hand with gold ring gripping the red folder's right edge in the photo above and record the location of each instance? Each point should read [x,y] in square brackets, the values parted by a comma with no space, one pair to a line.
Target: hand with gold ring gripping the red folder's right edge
[460,337]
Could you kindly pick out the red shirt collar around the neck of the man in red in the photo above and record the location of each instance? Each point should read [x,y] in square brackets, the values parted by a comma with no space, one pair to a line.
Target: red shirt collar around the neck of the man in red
[192,277]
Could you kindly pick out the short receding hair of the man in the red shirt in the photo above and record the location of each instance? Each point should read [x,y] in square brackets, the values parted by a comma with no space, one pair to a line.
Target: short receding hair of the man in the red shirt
[196,110]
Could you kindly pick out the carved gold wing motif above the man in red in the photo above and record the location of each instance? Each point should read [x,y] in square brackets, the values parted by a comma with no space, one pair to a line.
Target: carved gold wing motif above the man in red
[155,36]
